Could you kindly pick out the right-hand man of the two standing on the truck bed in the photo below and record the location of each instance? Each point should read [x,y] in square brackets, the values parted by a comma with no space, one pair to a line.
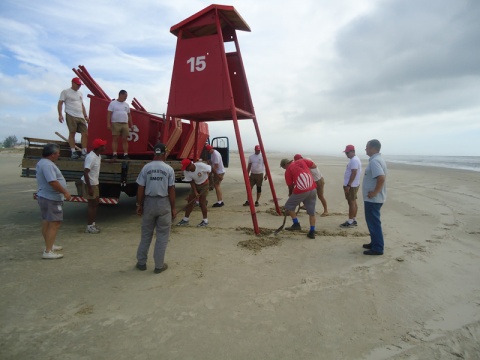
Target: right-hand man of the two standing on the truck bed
[119,120]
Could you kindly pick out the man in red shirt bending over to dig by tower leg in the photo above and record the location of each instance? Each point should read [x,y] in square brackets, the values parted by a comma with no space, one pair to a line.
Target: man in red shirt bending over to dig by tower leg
[301,188]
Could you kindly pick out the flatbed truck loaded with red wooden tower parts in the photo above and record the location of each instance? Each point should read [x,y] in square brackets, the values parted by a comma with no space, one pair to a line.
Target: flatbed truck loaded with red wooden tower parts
[148,129]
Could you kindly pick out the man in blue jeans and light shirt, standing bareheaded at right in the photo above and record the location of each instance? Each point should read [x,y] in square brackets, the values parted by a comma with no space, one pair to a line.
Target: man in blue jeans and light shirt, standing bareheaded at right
[374,194]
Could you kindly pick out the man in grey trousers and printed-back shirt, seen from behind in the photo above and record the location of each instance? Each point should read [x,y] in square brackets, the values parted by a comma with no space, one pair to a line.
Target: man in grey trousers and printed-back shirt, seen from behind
[156,205]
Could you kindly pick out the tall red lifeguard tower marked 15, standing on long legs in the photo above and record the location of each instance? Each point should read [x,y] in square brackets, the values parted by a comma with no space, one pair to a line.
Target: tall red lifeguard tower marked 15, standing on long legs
[209,84]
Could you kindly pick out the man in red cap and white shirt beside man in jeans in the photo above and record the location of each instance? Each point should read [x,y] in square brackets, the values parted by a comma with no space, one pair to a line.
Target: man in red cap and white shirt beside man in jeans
[351,183]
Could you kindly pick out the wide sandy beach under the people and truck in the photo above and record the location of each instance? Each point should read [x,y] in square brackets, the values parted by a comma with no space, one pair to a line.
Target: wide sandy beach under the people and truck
[295,299]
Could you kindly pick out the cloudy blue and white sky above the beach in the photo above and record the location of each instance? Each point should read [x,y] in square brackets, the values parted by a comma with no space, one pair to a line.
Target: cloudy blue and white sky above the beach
[322,74]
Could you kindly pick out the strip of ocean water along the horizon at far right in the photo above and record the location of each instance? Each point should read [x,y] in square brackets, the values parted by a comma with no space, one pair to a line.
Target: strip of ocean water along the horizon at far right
[452,162]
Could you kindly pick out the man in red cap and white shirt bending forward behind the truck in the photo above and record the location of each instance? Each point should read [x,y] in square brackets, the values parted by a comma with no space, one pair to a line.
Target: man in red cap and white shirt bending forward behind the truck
[197,174]
